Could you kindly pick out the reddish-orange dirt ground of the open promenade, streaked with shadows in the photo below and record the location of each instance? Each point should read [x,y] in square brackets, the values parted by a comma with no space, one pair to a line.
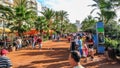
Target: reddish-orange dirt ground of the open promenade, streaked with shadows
[54,55]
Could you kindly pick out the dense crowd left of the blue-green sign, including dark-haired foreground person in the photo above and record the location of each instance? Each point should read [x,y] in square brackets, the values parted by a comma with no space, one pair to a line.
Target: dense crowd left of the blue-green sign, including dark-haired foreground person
[82,45]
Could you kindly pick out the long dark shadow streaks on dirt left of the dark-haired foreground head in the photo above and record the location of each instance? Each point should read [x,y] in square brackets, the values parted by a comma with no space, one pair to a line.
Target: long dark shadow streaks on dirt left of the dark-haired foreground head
[58,56]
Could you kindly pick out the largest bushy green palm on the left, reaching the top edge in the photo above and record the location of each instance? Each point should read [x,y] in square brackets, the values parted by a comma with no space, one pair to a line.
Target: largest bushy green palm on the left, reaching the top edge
[23,16]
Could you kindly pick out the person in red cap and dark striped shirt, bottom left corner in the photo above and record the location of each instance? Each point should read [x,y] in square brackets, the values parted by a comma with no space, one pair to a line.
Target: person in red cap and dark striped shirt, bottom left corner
[4,60]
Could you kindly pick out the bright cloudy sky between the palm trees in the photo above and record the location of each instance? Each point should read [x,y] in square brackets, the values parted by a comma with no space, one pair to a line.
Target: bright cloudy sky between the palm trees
[77,9]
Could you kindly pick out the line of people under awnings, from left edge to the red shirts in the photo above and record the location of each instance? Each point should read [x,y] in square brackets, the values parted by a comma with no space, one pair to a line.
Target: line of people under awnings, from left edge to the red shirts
[20,42]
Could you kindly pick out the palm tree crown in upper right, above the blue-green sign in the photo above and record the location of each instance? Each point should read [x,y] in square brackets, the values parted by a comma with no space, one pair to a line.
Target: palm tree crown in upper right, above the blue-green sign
[106,10]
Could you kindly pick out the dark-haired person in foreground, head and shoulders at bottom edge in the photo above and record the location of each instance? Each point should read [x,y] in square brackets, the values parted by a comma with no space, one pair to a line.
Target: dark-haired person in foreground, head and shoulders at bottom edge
[74,59]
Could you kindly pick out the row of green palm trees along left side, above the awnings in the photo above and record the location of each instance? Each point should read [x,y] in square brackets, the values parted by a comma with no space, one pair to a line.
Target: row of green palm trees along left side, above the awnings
[23,18]
